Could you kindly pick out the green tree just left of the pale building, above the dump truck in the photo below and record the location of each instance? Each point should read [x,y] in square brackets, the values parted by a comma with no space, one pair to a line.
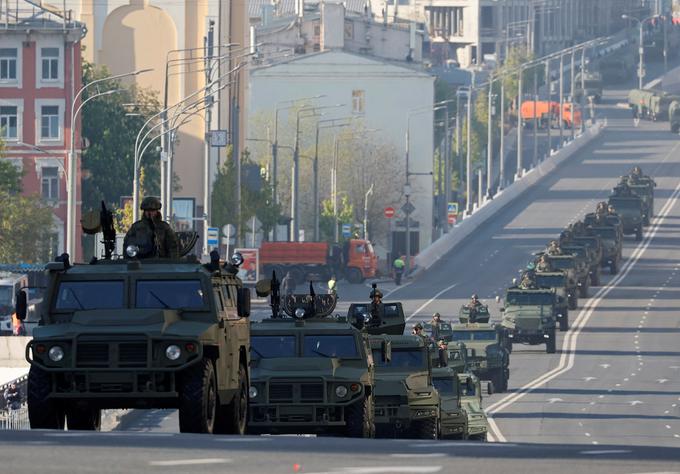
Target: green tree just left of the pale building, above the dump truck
[253,203]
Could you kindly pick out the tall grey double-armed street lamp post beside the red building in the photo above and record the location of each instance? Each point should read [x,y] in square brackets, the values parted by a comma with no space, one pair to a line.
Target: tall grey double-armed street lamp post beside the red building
[71,174]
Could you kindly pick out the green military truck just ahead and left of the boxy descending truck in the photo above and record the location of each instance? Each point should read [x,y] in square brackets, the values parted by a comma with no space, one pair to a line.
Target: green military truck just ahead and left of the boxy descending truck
[487,356]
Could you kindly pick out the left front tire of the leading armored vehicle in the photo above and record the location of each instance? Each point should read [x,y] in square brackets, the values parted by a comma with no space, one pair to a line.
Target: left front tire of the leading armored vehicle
[43,412]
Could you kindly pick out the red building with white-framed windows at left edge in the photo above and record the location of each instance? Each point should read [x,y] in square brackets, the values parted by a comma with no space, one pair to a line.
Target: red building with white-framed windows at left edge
[40,73]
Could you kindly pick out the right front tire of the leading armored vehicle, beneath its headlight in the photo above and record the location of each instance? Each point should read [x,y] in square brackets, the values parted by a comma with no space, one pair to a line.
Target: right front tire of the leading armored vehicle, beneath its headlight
[198,398]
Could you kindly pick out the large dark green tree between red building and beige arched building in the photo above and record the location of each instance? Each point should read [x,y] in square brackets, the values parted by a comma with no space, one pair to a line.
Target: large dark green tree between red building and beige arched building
[108,161]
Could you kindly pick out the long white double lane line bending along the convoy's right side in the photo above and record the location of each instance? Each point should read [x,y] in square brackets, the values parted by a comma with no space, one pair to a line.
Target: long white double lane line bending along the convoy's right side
[568,355]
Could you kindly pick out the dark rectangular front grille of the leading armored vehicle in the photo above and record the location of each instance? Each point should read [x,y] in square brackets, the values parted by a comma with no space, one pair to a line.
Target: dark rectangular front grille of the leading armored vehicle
[111,354]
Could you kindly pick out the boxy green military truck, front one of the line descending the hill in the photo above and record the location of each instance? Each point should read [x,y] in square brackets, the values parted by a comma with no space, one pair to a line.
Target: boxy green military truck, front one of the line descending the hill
[531,316]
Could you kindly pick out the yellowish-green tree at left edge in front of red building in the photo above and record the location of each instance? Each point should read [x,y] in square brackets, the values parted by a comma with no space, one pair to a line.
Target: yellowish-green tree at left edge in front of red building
[26,224]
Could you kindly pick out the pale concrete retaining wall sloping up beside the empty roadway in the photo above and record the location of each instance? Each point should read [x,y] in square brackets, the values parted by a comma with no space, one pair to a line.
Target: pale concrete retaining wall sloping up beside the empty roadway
[448,242]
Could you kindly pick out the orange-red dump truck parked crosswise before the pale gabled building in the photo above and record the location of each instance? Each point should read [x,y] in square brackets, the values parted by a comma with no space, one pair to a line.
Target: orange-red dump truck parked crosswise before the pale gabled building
[354,260]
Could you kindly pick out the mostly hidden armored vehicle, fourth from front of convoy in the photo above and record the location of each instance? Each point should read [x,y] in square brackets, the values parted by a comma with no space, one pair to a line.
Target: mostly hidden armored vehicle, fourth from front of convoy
[454,419]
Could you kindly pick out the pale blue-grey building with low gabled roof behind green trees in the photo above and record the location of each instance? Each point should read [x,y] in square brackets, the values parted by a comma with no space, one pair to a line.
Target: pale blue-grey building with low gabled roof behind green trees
[372,68]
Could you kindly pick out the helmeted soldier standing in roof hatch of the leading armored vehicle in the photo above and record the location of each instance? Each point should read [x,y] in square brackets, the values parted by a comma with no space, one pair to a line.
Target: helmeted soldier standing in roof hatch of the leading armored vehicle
[153,236]
